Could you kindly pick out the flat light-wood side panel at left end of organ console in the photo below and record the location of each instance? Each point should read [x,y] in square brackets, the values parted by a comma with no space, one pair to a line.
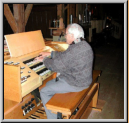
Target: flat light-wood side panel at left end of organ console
[12,84]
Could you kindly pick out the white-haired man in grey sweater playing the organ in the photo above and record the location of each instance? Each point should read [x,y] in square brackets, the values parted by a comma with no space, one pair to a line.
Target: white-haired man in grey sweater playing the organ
[74,65]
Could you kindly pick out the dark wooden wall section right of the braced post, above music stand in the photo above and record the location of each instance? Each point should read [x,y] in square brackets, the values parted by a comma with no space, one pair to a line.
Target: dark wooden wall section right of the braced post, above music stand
[39,19]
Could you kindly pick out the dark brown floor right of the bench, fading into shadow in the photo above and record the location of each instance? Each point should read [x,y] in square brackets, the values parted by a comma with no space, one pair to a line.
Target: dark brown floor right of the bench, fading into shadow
[110,59]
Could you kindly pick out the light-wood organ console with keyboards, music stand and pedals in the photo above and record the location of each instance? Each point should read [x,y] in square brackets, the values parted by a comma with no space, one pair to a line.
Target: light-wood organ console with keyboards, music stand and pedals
[23,78]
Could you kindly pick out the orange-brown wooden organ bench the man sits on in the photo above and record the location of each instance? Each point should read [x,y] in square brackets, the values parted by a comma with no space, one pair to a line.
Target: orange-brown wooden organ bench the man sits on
[76,105]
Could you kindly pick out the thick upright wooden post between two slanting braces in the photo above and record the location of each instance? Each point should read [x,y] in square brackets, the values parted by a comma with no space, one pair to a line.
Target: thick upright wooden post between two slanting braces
[19,17]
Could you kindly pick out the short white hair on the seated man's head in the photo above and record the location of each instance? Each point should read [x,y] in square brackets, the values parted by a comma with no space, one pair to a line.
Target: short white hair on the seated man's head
[76,29]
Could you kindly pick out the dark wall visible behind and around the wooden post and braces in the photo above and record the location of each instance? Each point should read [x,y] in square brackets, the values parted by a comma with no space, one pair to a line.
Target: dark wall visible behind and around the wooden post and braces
[38,19]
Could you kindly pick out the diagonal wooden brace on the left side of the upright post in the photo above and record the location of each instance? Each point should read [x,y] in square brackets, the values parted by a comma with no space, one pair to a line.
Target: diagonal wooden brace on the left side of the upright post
[9,16]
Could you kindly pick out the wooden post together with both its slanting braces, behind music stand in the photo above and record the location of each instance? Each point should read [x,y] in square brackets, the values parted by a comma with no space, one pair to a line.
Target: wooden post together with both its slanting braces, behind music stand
[19,20]
